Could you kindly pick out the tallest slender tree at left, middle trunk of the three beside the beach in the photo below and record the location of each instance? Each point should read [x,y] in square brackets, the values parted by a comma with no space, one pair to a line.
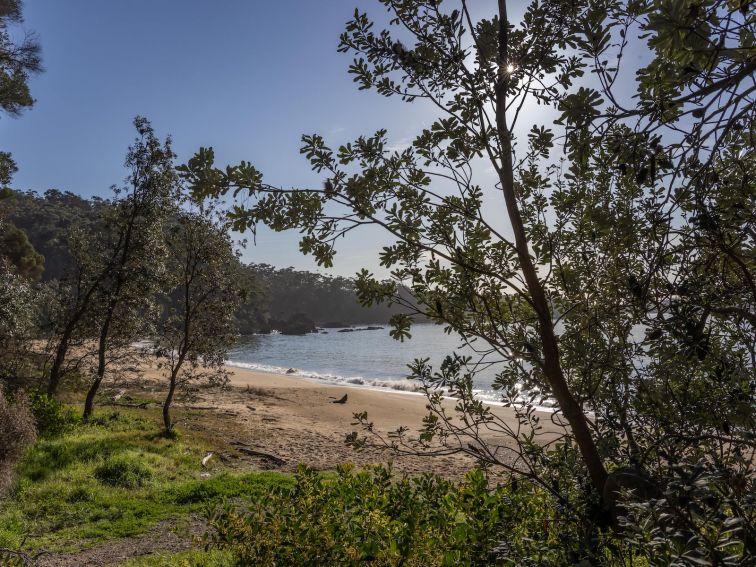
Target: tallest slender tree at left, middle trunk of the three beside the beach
[131,270]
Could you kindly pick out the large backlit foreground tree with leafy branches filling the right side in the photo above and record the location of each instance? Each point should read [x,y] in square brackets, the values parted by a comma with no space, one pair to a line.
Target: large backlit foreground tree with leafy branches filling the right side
[623,284]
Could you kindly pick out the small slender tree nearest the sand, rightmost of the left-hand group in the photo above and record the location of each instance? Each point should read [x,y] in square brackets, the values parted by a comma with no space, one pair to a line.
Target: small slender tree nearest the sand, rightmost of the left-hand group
[198,327]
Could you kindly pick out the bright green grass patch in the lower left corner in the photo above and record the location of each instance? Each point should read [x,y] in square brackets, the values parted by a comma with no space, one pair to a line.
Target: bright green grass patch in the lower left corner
[116,477]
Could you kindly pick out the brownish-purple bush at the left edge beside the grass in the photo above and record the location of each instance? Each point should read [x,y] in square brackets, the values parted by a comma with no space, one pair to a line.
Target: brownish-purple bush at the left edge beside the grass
[17,433]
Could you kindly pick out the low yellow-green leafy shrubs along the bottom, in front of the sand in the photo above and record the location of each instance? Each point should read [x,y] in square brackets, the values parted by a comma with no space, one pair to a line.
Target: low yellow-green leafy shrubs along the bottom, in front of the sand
[369,517]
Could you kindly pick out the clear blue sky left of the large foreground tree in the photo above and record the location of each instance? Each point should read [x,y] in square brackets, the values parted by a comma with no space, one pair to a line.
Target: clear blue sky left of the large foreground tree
[246,77]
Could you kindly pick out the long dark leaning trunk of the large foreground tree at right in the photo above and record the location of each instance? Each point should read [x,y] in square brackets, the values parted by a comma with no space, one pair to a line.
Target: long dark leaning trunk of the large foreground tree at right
[551,362]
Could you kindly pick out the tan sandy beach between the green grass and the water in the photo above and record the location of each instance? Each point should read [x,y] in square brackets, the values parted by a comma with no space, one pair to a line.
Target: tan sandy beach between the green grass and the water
[271,421]
